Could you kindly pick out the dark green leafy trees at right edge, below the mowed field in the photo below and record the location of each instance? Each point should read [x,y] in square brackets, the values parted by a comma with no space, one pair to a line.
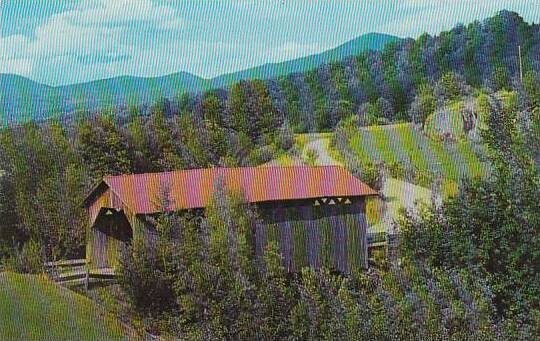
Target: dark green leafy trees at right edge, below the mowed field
[492,225]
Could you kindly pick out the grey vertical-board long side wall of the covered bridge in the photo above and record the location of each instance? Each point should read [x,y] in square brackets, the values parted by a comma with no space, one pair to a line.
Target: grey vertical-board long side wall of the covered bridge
[344,231]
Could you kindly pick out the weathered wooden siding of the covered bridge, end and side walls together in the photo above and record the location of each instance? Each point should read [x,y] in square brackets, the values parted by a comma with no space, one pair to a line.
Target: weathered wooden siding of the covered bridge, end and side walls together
[325,239]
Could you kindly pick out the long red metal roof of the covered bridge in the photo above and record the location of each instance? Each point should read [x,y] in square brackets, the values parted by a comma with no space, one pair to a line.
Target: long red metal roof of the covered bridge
[193,188]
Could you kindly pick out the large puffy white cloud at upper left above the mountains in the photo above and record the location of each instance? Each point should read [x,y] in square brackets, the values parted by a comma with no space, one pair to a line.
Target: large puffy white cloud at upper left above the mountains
[106,28]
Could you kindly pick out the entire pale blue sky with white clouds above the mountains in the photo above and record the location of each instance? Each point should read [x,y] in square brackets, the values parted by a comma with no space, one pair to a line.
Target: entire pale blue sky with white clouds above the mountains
[60,42]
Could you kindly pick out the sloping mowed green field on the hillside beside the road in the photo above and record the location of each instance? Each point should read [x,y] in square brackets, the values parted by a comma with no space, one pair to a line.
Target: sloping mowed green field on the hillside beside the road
[411,149]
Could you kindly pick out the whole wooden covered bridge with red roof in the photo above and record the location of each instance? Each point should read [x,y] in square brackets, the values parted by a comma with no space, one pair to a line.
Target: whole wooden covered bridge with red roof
[315,214]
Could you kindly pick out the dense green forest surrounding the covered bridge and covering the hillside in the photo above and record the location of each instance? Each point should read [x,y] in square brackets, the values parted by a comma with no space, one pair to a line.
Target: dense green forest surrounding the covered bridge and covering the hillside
[469,266]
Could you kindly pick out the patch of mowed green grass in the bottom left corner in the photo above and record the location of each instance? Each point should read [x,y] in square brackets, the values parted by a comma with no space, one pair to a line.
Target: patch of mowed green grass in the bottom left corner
[34,308]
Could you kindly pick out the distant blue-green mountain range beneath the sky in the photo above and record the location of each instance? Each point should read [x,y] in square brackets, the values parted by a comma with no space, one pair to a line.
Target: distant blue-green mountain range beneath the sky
[23,99]
